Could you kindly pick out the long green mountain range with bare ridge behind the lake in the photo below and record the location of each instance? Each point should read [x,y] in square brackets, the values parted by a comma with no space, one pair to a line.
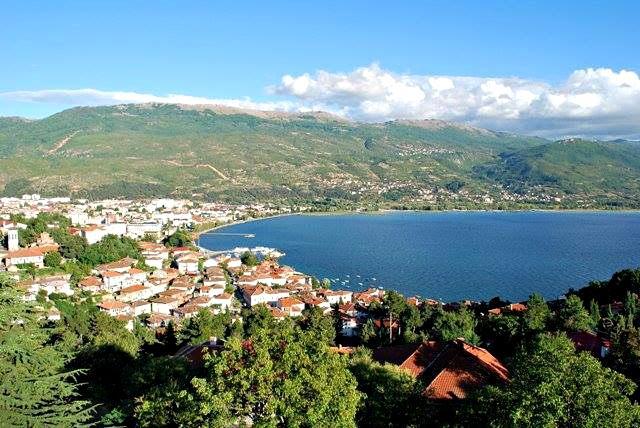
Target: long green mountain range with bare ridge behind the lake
[243,156]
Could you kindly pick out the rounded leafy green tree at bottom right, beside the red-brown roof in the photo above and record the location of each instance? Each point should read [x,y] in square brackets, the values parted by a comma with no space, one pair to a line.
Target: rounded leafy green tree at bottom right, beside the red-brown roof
[552,385]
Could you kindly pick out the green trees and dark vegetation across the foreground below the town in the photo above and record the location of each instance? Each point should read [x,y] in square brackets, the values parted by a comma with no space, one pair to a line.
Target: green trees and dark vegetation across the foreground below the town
[88,368]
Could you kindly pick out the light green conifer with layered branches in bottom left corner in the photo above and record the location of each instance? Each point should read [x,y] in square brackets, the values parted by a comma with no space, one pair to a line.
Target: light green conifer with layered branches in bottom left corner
[35,387]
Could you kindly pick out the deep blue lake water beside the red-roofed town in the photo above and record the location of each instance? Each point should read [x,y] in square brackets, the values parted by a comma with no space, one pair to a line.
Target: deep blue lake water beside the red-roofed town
[450,255]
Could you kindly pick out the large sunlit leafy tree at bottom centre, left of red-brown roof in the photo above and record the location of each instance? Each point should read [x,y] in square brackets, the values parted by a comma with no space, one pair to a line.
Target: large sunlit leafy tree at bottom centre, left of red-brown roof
[280,376]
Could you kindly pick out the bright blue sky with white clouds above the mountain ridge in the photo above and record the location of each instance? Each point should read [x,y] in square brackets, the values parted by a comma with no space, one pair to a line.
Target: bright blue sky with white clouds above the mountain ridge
[554,69]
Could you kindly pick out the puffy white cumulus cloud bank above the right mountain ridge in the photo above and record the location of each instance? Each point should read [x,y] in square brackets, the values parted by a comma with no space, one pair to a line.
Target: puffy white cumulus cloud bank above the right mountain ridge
[593,102]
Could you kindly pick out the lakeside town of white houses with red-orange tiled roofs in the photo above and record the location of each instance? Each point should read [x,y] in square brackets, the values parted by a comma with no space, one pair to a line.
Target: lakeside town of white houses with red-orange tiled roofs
[172,280]
